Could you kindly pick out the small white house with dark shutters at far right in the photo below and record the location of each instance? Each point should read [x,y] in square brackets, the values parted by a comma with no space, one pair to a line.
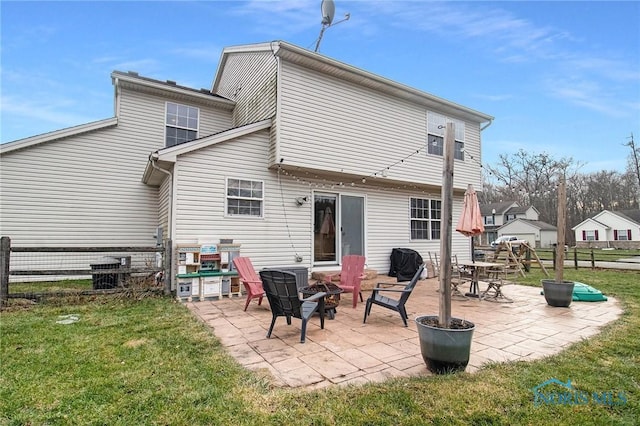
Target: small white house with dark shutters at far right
[610,229]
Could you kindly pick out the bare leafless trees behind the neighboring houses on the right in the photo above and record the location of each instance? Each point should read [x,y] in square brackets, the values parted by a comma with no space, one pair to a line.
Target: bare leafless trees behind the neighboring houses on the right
[531,179]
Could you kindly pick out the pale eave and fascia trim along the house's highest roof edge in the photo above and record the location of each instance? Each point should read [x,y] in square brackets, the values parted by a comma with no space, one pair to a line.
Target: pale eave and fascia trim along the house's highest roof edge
[325,65]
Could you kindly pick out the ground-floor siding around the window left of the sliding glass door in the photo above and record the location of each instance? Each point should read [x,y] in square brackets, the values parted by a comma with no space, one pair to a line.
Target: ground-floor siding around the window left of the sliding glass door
[200,193]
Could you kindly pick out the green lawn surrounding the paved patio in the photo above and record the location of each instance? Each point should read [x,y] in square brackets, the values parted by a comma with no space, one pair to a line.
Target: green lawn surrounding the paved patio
[150,362]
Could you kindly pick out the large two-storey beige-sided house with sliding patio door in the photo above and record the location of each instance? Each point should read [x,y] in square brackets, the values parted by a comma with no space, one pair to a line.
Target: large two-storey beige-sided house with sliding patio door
[299,158]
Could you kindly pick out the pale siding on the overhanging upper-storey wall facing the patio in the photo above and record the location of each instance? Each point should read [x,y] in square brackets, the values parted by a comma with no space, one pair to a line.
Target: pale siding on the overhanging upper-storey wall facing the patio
[330,124]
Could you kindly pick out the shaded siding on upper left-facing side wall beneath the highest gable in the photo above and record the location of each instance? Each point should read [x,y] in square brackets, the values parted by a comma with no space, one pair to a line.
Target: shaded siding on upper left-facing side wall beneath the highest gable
[250,80]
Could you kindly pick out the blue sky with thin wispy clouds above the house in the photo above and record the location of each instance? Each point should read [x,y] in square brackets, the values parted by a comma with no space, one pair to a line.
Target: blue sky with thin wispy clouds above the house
[560,77]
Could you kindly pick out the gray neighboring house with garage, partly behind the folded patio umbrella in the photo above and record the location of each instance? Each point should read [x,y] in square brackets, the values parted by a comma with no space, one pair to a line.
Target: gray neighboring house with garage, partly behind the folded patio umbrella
[496,215]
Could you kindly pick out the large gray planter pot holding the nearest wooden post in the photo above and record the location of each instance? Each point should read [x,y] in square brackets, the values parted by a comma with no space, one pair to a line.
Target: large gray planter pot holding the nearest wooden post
[444,350]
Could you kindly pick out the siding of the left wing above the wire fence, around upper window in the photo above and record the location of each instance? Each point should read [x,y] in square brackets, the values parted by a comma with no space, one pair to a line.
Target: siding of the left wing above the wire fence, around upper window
[86,189]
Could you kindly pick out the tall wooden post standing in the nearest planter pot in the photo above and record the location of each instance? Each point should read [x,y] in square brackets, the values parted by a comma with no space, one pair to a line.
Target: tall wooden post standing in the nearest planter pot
[444,317]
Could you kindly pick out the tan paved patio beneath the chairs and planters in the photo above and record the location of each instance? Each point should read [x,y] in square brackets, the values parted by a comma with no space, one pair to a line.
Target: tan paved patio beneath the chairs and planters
[350,352]
